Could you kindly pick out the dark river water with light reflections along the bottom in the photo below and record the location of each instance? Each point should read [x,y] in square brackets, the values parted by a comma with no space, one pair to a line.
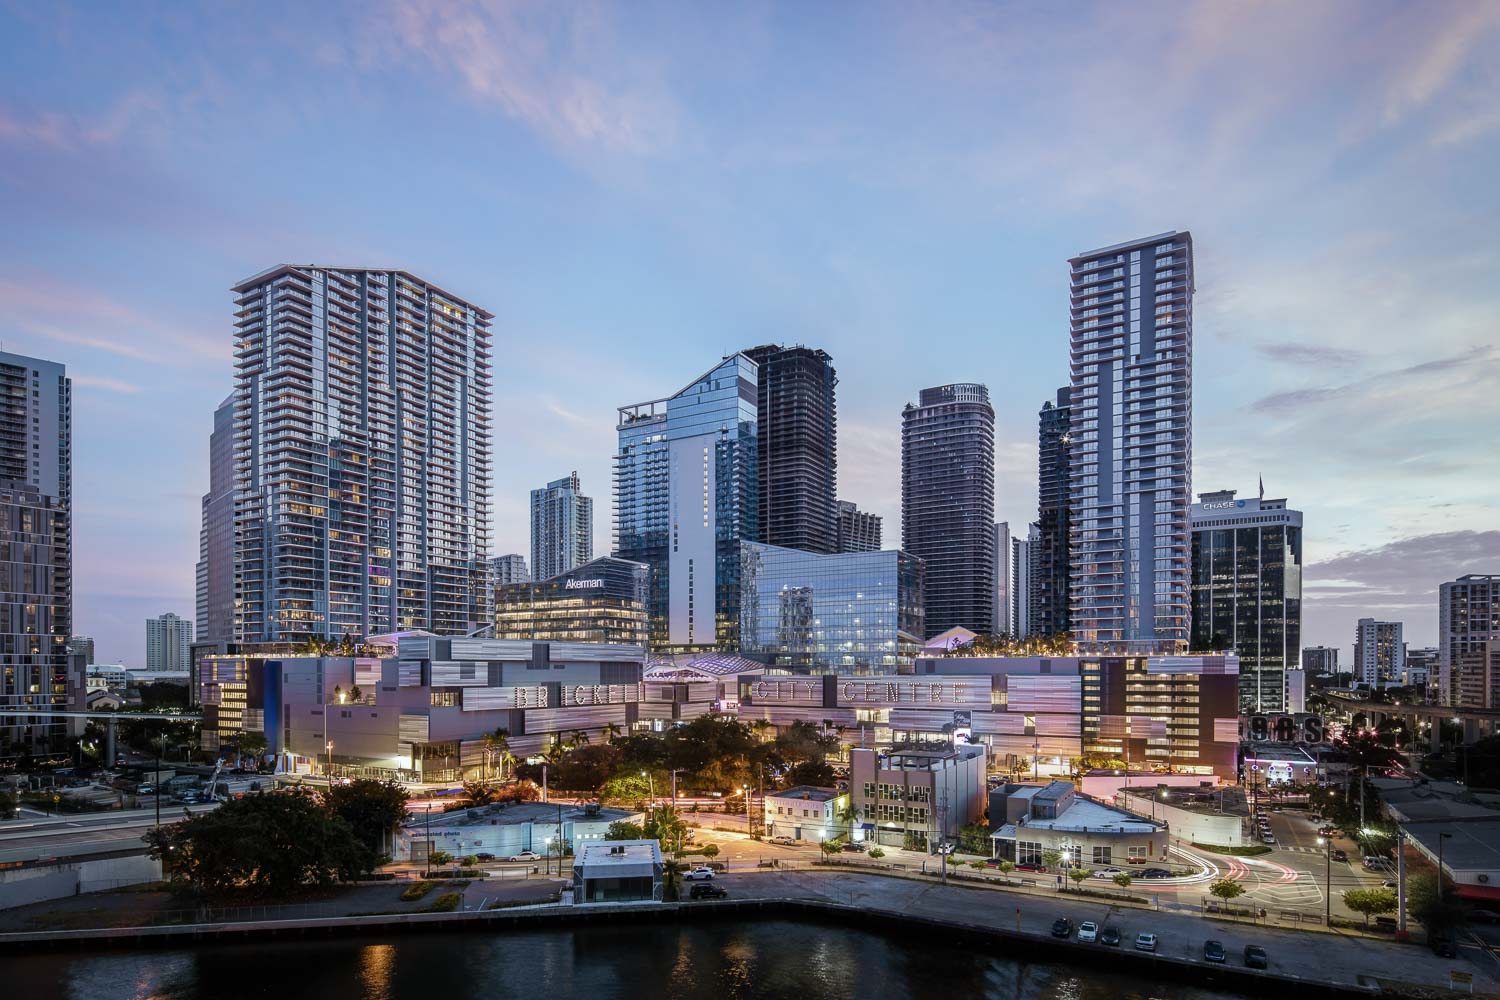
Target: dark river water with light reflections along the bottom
[712,962]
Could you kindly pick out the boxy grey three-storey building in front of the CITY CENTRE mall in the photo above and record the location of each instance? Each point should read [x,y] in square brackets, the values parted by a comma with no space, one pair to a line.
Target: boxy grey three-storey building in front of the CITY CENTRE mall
[917,798]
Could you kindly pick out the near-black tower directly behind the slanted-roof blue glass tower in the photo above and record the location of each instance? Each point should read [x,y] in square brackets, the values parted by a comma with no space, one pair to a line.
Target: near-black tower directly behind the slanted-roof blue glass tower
[797,442]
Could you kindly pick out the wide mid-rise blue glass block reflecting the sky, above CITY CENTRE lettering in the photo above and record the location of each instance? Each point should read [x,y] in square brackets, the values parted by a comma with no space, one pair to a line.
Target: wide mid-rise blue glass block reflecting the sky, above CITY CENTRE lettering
[854,614]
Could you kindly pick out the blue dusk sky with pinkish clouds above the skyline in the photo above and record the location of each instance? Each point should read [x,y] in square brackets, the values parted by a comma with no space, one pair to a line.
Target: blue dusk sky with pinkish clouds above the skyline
[638,190]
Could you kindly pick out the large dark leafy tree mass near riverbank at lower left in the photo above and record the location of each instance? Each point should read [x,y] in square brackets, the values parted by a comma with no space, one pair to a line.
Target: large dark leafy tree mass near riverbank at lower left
[263,843]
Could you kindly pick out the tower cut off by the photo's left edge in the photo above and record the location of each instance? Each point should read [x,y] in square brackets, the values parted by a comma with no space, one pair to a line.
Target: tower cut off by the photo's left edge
[37,585]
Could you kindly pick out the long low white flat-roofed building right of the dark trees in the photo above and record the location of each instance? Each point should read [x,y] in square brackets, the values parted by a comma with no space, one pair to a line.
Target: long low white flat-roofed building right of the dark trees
[506,830]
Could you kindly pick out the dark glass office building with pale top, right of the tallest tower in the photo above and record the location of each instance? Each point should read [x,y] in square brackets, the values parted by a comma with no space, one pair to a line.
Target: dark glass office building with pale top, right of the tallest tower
[1247,591]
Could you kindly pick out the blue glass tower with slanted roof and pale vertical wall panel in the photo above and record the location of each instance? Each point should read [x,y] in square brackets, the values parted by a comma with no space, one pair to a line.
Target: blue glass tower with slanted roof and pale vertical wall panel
[686,497]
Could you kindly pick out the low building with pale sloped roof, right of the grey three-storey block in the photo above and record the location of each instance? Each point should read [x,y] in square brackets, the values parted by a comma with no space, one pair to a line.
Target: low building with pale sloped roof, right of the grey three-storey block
[1028,821]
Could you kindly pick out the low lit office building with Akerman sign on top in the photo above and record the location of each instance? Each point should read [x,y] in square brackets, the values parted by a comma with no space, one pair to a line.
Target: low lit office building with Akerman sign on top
[604,600]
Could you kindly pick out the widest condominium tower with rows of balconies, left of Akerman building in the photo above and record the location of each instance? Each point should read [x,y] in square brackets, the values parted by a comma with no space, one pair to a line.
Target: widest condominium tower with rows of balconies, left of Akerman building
[362,455]
